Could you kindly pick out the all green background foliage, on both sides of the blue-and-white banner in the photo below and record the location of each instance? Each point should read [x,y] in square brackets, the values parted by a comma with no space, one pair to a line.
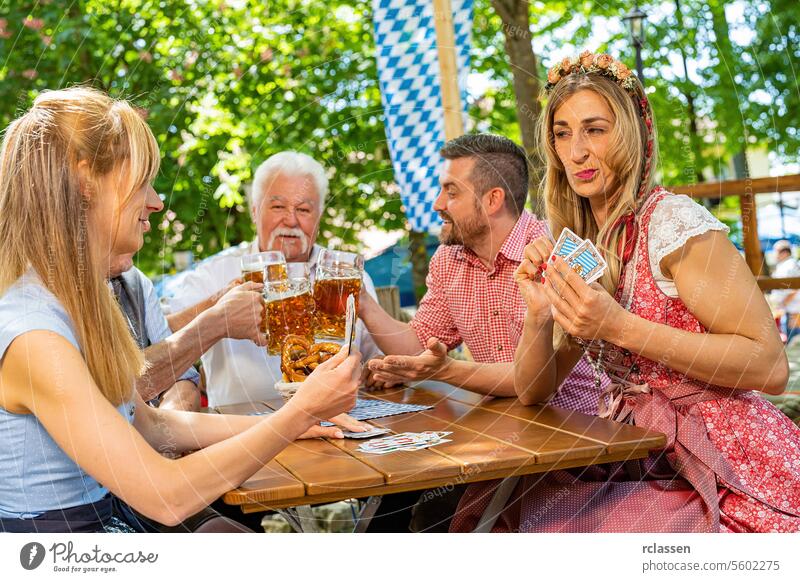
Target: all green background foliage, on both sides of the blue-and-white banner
[226,83]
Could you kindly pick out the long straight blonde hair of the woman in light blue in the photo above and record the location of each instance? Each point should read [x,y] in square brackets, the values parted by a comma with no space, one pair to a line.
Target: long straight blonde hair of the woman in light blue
[44,215]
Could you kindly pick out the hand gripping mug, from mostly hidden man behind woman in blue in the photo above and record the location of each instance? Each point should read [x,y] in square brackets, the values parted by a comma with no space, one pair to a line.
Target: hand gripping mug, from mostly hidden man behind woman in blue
[240,311]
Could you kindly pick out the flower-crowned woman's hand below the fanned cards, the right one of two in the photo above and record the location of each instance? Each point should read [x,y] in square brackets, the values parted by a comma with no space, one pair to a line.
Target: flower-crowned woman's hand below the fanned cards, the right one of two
[584,311]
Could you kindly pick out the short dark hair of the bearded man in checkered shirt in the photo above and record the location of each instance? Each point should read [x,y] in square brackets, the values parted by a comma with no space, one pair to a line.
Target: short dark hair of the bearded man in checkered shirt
[499,163]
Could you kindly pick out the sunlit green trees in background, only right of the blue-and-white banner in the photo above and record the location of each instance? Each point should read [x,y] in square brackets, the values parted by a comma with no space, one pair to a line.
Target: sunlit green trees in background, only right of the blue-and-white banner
[740,84]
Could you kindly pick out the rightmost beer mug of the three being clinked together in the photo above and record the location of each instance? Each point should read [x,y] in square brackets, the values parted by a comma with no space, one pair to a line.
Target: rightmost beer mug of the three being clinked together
[338,275]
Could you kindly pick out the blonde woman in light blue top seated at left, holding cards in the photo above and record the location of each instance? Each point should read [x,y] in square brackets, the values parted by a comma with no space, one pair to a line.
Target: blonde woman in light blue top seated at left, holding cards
[77,445]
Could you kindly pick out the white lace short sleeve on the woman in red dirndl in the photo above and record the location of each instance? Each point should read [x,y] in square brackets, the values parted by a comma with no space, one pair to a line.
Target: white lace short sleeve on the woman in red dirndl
[675,220]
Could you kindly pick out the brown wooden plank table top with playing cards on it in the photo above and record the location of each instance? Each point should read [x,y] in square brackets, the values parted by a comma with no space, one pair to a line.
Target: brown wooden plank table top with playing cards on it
[491,438]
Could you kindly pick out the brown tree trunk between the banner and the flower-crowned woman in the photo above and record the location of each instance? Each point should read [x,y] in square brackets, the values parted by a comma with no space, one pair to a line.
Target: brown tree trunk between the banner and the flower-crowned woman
[517,33]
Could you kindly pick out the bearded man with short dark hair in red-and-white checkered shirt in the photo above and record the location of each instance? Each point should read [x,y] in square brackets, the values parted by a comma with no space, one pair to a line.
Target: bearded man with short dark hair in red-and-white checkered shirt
[472,297]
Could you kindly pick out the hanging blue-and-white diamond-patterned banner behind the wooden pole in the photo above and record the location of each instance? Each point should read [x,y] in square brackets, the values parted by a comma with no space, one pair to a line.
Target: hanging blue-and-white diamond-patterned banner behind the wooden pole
[409,75]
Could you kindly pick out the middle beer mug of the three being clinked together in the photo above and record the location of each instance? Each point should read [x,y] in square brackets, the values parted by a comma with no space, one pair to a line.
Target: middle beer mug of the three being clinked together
[290,307]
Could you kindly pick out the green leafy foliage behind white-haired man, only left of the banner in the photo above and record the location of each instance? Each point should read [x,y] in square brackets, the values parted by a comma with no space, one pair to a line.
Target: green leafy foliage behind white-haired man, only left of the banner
[223,86]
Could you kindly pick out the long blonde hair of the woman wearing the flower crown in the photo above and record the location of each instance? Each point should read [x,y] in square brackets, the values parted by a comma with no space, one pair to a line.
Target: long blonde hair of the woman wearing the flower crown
[626,158]
